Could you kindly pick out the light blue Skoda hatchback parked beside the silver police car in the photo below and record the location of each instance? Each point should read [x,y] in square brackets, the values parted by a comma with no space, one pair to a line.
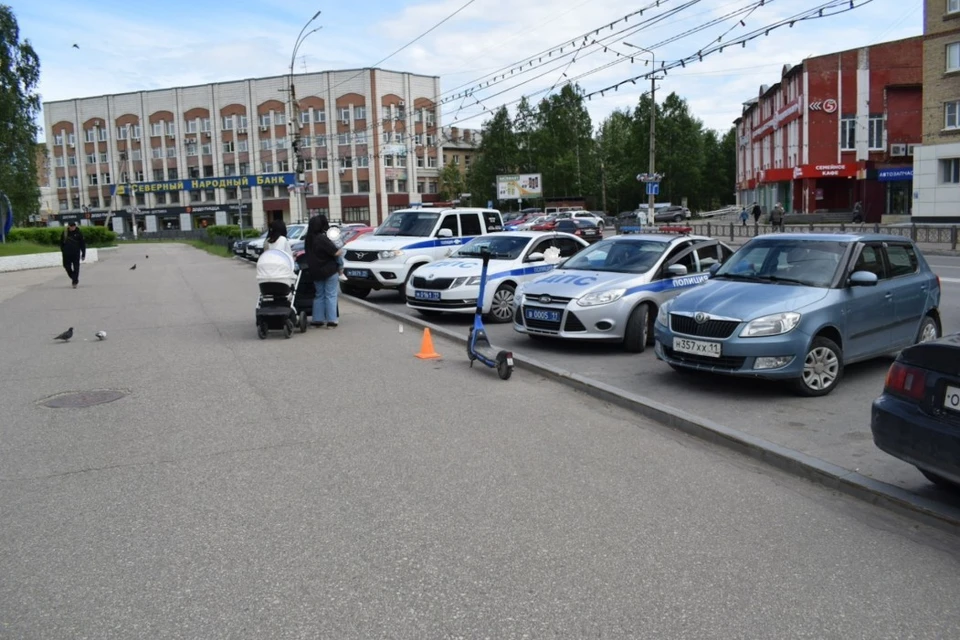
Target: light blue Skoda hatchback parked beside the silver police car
[800,307]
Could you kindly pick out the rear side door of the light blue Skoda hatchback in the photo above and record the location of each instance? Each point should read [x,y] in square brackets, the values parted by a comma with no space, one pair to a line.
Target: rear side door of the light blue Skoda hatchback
[910,290]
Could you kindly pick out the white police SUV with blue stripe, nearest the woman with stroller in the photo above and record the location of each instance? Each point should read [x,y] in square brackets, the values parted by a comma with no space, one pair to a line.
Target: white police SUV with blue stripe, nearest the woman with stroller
[407,240]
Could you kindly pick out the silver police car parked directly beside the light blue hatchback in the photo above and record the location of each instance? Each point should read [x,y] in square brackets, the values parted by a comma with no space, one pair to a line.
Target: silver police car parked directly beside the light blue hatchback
[612,291]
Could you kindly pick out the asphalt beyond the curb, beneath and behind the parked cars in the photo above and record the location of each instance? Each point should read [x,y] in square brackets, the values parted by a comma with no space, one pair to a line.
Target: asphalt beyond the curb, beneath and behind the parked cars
[835,428]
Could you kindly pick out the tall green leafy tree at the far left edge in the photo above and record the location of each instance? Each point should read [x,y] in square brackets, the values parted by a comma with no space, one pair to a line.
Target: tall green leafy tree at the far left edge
[19,106]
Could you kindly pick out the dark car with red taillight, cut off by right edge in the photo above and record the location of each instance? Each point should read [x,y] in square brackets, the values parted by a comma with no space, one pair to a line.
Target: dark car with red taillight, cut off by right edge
[917,417]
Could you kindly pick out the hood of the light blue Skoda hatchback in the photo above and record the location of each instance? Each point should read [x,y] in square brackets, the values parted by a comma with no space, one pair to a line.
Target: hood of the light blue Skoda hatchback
[746,300]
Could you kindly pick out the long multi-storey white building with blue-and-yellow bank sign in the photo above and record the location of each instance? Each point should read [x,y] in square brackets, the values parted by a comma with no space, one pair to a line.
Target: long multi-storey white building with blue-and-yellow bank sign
[188,157]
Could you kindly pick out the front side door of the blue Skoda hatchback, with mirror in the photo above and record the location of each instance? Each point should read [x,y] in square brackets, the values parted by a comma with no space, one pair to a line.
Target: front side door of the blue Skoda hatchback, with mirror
[868,312]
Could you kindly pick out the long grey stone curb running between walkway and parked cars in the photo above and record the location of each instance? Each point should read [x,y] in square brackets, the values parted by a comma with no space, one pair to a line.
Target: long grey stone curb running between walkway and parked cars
[851,483]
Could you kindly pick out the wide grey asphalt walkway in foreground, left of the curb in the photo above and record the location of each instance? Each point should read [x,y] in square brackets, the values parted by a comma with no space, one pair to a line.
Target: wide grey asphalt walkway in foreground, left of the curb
[334,486]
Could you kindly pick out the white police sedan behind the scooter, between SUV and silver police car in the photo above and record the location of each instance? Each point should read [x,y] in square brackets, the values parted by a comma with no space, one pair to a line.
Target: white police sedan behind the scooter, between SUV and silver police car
[453,284]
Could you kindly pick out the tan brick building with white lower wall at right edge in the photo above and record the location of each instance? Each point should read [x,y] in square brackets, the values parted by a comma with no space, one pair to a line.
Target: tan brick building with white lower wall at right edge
[936,163]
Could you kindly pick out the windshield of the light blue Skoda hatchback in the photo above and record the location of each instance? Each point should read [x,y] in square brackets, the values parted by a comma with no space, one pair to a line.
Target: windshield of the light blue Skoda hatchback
[812,263]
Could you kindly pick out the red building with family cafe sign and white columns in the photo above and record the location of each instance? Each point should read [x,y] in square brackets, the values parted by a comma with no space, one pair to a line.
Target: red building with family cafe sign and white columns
[835,130]
